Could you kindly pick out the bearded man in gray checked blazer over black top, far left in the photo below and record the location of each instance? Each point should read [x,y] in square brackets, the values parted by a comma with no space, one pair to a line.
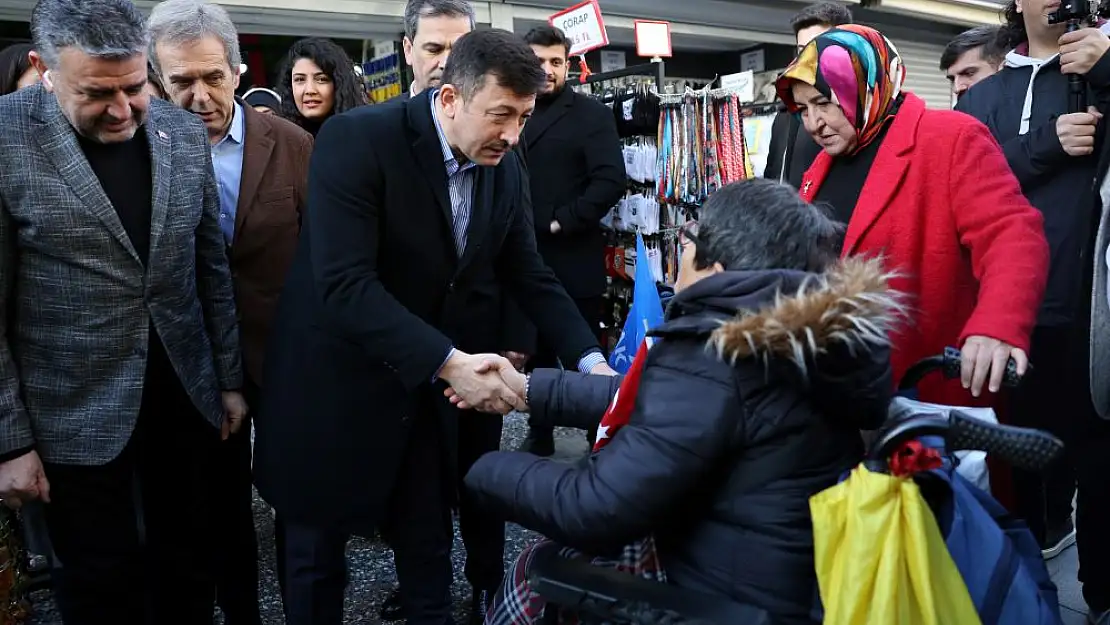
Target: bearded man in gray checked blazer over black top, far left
[120,360]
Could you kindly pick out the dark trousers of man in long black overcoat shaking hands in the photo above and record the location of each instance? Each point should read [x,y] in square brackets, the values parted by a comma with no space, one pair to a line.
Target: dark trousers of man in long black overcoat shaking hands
[418,529]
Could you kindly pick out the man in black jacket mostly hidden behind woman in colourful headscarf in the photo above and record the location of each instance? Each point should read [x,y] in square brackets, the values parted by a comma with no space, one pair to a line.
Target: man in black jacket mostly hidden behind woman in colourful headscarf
[792,153]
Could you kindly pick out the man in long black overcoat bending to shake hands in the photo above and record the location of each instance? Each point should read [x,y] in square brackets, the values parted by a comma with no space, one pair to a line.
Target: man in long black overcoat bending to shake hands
[415,221]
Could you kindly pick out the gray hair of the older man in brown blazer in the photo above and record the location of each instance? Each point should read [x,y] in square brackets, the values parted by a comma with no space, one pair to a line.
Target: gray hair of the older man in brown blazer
[185,22]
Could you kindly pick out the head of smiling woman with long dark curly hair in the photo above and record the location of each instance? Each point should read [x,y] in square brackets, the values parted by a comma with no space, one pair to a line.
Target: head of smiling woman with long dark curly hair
[318,82]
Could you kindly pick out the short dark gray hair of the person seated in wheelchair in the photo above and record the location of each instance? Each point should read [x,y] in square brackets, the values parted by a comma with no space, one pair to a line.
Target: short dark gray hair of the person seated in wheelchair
[761,225]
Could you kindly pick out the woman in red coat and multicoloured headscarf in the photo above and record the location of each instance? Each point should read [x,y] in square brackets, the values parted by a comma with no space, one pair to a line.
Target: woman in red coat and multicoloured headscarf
[931,191]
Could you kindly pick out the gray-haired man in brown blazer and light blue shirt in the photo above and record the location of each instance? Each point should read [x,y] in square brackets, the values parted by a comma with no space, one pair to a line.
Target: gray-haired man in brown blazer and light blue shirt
[261,167]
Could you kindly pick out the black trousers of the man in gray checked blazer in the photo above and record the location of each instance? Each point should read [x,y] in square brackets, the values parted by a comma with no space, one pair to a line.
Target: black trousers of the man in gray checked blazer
[135,537]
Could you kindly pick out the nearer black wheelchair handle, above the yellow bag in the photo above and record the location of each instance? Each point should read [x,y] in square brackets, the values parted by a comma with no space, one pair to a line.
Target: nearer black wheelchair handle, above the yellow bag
[1023,448]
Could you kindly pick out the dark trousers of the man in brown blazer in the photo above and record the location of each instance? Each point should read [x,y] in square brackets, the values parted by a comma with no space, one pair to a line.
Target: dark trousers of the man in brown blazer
[238,546]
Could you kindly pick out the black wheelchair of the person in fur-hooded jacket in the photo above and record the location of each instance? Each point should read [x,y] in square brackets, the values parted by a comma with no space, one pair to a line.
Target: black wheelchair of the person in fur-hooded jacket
[599,597]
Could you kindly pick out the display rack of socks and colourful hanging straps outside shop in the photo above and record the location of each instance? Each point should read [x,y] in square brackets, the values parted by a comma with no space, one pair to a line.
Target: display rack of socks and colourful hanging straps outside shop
[678,150]
